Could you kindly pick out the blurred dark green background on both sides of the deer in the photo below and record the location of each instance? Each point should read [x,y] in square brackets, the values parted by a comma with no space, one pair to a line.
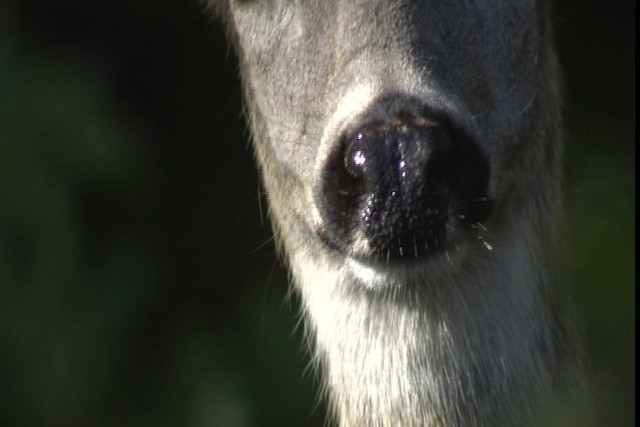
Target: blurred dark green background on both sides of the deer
[138,282]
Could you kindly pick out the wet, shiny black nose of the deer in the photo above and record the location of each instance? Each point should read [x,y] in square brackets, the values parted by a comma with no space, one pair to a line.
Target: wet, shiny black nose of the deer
[396,189]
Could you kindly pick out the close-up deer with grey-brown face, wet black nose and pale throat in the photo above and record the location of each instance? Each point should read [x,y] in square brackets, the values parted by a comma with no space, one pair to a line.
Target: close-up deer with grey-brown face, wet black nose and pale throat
[411,155]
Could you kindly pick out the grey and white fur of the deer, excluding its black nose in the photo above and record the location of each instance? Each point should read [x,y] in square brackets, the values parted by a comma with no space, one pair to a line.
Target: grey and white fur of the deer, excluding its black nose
[474,336]
